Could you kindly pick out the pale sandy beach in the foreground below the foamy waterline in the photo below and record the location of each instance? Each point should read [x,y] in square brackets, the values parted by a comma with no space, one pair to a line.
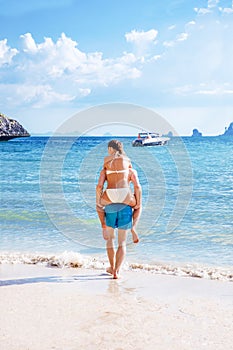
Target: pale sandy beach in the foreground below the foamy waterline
[71,309]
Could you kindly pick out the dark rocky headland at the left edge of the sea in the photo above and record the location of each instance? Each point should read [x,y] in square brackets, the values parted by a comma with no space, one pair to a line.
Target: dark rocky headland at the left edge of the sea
[10,129]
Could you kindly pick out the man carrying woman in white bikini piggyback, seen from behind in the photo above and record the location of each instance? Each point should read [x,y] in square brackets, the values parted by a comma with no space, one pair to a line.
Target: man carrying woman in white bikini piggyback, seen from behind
[117,206]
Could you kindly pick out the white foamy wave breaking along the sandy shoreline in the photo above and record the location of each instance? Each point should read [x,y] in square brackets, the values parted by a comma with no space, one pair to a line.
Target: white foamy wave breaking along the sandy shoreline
[76,260]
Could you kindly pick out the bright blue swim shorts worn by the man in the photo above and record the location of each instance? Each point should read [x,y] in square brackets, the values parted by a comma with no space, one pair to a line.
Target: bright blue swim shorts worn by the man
[118,215]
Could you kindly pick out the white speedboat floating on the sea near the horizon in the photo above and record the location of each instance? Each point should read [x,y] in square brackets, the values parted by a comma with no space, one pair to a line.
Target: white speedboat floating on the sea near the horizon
[149,139]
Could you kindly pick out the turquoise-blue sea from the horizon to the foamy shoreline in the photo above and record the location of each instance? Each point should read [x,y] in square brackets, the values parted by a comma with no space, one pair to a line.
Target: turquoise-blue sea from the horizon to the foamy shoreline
[48,214]
